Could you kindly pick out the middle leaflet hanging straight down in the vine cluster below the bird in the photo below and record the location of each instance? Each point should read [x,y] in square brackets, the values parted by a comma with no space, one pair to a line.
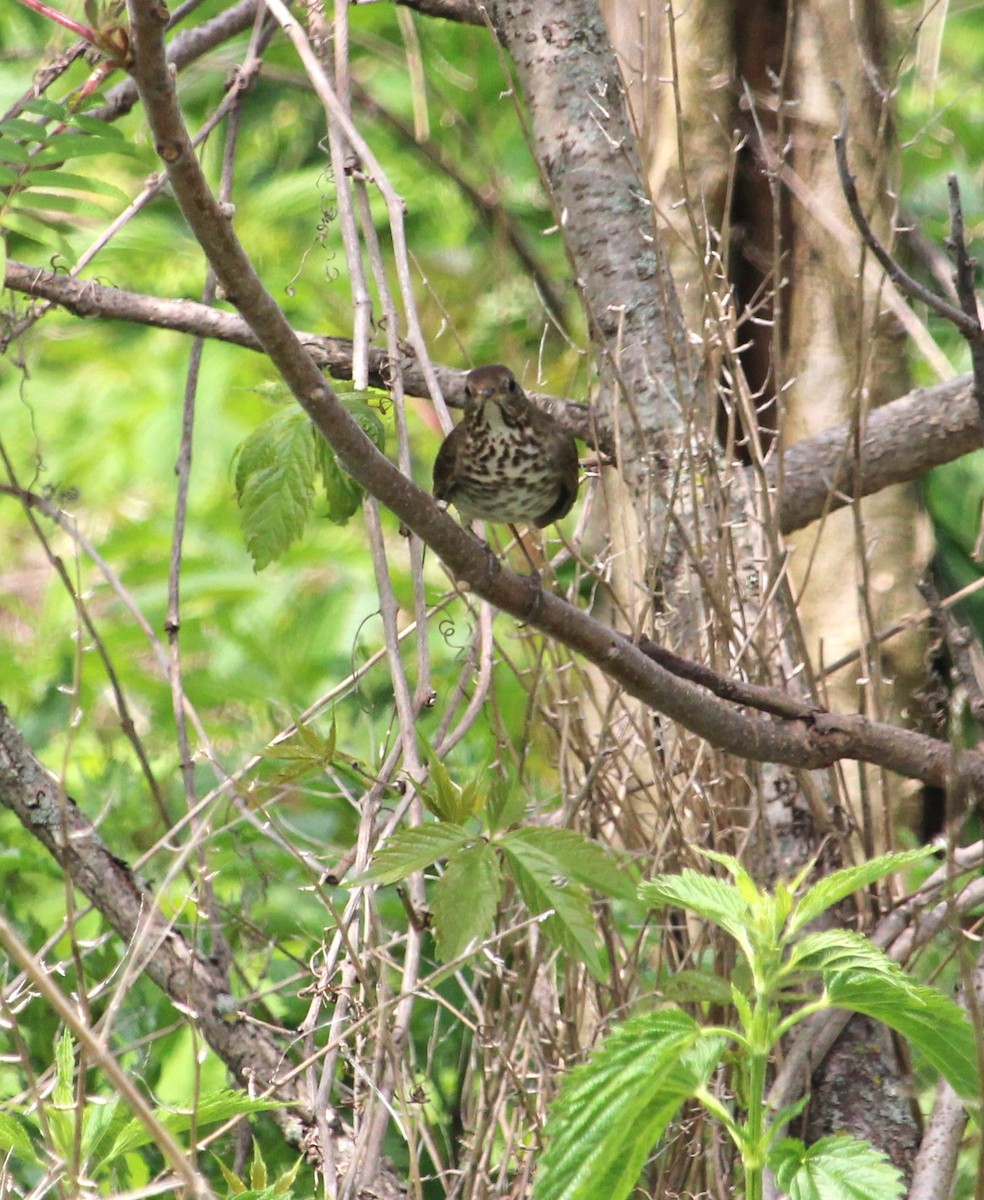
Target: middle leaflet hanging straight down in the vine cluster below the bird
[466,899]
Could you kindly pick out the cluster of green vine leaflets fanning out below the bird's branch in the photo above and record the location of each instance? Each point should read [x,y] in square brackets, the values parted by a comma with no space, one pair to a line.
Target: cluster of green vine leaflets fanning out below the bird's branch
[554,869]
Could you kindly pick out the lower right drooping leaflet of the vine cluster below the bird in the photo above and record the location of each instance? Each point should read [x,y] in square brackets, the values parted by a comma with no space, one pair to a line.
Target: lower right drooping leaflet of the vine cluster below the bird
[571,925]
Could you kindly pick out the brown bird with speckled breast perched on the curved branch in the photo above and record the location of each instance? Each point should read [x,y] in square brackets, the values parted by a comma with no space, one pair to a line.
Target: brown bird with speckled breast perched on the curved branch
[506,461]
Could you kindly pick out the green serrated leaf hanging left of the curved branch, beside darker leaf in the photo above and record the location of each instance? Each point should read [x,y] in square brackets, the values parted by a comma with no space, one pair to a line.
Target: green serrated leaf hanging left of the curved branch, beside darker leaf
[275,484]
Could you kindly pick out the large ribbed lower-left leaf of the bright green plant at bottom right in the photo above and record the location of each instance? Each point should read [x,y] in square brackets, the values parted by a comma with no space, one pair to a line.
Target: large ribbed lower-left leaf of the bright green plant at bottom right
[613,1109]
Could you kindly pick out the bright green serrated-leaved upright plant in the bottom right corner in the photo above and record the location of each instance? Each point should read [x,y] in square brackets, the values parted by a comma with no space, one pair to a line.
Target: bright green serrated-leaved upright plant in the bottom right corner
[613,1109]
